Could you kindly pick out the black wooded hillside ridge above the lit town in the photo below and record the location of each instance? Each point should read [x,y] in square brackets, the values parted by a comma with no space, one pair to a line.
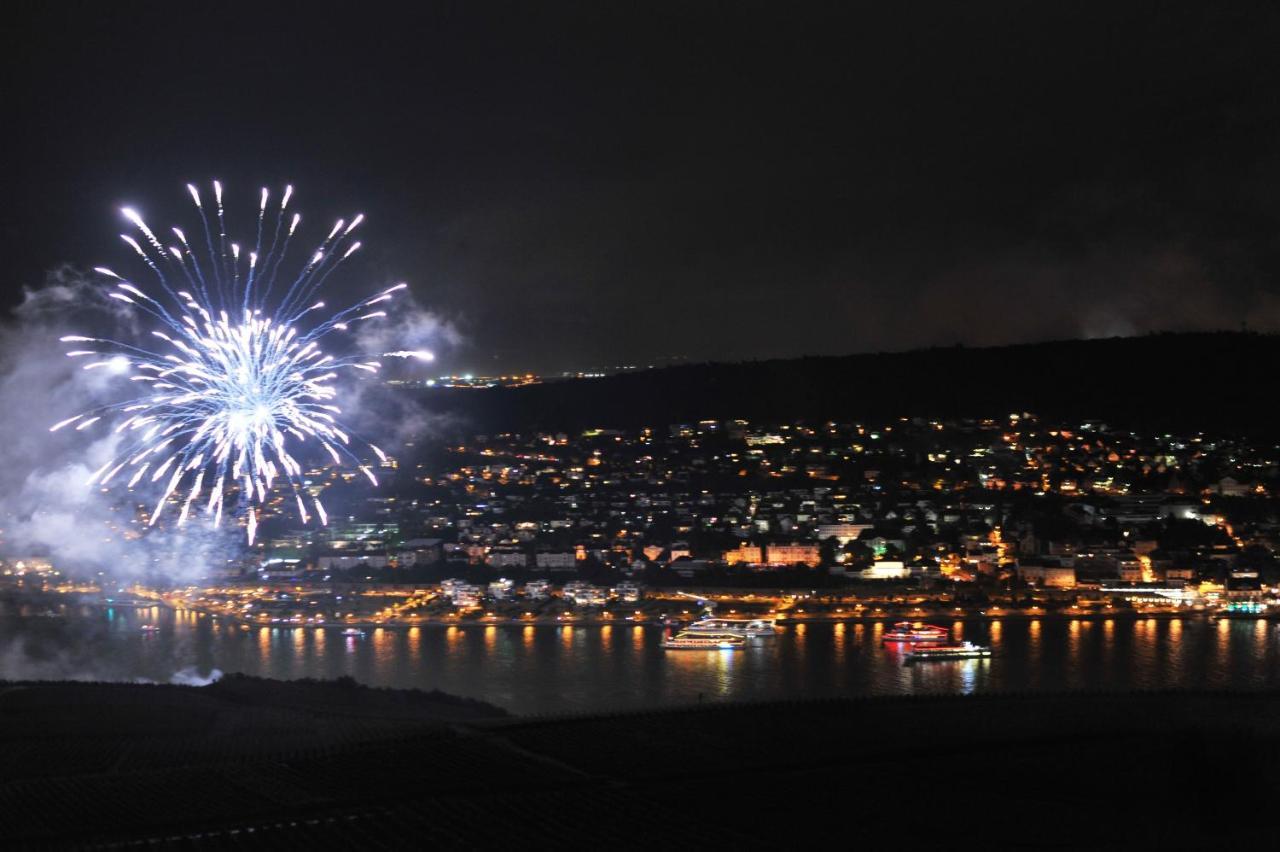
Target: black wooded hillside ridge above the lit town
[1187,382]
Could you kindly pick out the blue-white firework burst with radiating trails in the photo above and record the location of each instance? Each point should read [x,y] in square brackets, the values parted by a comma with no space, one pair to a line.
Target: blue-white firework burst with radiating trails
[240,379]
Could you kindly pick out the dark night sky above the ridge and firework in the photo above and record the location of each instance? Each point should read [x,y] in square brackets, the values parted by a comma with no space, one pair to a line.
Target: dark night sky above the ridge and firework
[575,187]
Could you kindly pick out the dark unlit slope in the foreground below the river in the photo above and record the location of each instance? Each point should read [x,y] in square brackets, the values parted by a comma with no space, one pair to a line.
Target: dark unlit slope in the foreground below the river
[259,764]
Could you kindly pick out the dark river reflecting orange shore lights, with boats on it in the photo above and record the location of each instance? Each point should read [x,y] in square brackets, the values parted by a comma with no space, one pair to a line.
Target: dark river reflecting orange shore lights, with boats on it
[551,670]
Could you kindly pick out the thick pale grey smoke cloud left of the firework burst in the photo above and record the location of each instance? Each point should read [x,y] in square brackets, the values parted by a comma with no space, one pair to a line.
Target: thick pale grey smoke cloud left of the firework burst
[47,507]
